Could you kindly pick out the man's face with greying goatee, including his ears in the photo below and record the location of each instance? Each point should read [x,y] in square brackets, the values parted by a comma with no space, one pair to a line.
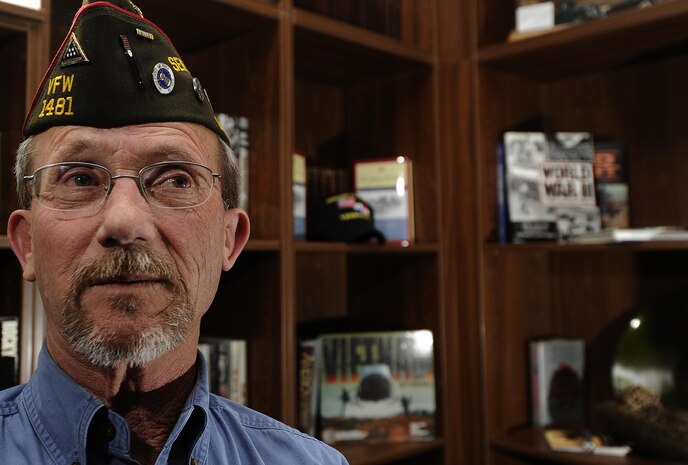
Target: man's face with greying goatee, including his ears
[131,281]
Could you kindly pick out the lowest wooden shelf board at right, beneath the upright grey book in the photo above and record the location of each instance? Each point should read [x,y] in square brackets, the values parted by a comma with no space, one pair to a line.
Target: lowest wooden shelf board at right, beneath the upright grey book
[529,443]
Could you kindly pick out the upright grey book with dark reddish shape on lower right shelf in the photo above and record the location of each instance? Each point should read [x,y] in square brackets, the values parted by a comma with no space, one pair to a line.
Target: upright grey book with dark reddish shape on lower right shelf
[557,382]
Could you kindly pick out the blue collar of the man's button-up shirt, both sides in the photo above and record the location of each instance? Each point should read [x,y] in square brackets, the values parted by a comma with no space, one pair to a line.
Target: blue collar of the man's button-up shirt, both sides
[61,411]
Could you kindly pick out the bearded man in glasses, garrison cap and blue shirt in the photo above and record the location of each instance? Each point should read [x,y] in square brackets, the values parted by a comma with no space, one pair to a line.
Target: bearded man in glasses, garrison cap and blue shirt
[129,192]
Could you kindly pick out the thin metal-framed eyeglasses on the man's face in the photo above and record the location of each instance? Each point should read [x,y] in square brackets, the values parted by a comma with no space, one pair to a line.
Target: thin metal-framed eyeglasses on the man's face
[84,187]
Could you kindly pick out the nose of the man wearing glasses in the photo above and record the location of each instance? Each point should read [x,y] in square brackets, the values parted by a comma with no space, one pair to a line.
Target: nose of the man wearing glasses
[126,215]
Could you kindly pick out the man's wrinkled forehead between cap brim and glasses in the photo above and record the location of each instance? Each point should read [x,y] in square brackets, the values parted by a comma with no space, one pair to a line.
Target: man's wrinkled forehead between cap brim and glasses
[127,147]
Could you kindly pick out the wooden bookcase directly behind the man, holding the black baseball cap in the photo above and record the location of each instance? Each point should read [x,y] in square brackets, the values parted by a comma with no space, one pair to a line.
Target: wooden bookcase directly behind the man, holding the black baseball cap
[338,93]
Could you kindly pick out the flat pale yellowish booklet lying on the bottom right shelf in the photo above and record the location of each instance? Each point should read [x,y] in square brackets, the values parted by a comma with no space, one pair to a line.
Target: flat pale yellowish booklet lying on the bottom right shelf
[562,440]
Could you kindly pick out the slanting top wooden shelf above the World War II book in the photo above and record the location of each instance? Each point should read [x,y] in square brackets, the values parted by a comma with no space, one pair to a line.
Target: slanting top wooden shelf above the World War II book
[595,45]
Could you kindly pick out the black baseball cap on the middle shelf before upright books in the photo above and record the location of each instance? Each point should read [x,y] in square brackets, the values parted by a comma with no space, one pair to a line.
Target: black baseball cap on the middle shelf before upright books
[342,218]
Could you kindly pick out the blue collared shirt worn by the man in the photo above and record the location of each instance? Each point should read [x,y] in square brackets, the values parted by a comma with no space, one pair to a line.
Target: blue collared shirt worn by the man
[52,420]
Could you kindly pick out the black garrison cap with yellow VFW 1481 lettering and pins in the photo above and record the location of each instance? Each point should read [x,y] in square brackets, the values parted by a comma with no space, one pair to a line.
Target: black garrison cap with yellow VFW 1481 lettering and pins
[116,68]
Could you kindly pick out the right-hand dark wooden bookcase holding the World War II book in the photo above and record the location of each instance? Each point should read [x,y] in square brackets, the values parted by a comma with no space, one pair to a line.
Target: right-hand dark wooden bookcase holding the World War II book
[619,78]
